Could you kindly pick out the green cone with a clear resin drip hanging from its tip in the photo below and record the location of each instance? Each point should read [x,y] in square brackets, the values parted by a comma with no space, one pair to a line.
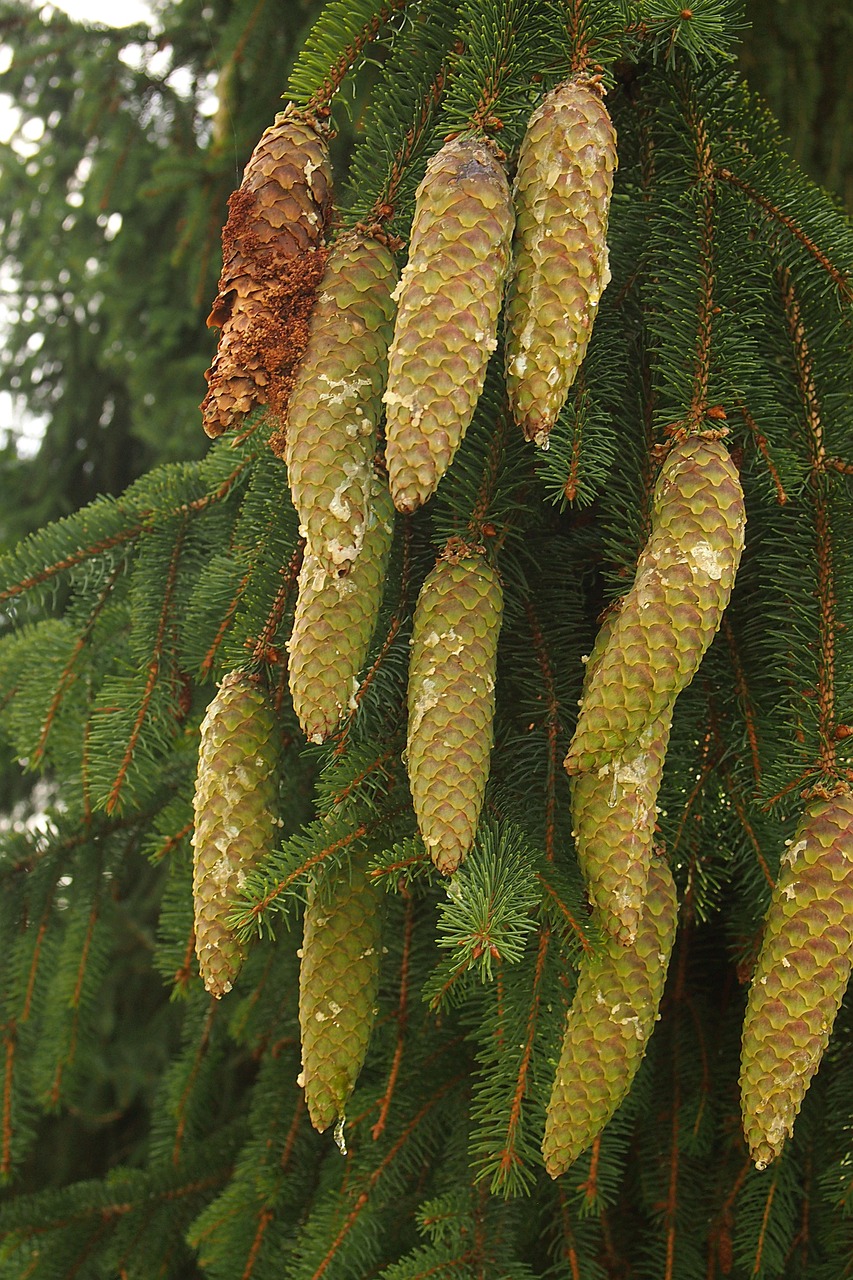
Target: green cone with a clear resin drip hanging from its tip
[339,981]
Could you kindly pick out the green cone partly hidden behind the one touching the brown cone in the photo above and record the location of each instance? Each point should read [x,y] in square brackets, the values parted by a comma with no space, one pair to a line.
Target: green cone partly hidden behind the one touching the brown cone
[334,624]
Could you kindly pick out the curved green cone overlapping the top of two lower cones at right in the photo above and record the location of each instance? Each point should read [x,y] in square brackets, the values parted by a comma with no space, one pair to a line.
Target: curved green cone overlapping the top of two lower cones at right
[672,614]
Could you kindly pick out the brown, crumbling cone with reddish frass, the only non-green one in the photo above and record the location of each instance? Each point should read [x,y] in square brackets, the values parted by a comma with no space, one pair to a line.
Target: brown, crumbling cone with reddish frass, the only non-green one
[271,271]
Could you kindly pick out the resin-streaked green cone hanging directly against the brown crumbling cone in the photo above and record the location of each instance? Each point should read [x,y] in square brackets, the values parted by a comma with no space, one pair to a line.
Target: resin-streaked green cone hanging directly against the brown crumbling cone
[336,405]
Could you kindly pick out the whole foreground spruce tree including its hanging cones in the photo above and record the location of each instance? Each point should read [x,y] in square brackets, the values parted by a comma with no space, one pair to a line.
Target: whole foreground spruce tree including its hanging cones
[503,1080]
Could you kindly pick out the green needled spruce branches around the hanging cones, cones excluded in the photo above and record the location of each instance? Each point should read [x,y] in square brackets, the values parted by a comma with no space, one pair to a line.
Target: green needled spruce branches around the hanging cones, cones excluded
[729,313]
